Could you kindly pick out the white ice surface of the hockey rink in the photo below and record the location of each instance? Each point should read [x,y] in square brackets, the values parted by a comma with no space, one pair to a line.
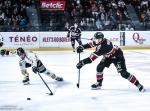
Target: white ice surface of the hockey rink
[116,94]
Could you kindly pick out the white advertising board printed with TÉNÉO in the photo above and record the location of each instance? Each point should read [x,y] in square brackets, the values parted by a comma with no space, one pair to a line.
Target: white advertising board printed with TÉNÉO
[20,39]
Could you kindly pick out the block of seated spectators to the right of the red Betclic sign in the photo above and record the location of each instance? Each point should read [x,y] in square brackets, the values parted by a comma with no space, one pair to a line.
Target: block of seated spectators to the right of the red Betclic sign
[108,14]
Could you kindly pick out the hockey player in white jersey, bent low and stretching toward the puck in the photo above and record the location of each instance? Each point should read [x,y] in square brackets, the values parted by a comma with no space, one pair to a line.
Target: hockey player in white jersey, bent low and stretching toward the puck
[30,59]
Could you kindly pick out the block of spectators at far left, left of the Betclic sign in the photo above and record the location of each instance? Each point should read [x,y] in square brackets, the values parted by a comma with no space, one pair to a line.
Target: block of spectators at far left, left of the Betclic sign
[13,15]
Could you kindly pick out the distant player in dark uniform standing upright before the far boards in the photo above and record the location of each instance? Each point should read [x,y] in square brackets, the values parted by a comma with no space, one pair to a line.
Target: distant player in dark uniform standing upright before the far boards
[74,33]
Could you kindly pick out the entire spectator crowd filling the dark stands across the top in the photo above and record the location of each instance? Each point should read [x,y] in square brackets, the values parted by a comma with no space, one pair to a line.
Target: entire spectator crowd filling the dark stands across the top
[90,15]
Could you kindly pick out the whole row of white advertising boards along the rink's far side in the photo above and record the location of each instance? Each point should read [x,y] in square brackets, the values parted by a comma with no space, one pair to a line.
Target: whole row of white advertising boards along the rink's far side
[60,39]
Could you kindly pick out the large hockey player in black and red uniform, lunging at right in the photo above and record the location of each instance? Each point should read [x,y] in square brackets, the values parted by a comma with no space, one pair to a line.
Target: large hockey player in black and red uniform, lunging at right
[111,54]
